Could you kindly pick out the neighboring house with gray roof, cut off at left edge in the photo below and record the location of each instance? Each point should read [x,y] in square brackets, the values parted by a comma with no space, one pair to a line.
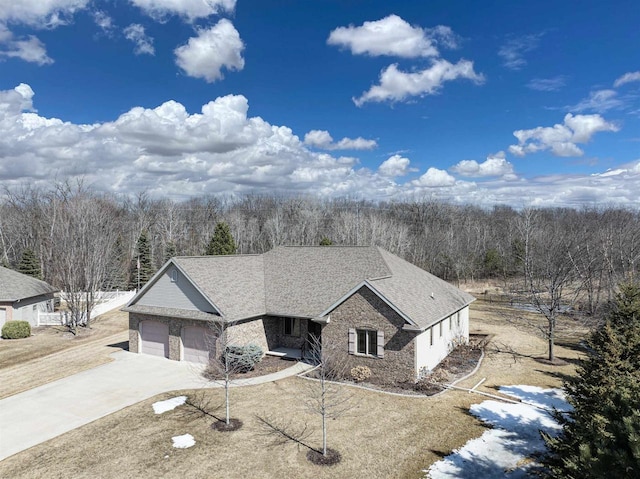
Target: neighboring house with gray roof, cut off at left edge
[23,297]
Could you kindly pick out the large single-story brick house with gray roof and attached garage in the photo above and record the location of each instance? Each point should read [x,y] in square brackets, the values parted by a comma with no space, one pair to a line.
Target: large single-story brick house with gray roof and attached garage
[370,306]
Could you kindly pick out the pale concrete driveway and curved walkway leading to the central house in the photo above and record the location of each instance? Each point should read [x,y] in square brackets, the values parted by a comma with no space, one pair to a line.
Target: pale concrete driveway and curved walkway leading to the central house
[37,415]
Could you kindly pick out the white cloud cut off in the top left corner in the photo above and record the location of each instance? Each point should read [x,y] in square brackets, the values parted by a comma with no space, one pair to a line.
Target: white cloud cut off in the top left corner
[40,13]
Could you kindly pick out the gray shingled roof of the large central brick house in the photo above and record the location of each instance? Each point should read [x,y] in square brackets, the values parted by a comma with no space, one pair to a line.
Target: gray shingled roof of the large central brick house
[307,281]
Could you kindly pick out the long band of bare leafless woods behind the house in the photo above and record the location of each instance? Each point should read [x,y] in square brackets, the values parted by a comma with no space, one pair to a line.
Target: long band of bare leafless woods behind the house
[103,241]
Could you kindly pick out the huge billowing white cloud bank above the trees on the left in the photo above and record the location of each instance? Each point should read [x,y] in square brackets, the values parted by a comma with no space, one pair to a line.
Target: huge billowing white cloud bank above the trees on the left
[170,152]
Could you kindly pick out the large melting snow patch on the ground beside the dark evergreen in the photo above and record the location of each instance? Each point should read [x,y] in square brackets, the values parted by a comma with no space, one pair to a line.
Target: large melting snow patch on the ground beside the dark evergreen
[505,450]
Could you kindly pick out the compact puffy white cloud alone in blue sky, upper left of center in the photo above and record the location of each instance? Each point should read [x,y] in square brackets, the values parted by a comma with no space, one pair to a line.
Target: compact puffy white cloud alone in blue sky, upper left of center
[212,50]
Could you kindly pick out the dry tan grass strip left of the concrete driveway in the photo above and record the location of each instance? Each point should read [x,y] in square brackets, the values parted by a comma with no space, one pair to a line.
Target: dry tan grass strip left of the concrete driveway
[52,353]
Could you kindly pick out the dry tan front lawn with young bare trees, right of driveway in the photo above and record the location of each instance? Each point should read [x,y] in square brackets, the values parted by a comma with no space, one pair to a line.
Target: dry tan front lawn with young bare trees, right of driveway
[385,436]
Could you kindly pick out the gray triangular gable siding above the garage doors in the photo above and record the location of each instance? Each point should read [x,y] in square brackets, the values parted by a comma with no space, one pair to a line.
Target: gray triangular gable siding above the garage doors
[179,295]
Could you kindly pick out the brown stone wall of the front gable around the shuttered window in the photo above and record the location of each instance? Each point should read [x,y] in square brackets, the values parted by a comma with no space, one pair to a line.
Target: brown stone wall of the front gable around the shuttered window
[365,310]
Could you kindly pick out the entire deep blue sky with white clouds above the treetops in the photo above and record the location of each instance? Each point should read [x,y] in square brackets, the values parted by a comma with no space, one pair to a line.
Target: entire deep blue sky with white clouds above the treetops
[521,103]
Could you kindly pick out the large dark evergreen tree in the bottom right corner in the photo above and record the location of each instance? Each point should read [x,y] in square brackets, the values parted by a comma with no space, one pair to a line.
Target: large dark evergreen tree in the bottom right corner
[601,435]
